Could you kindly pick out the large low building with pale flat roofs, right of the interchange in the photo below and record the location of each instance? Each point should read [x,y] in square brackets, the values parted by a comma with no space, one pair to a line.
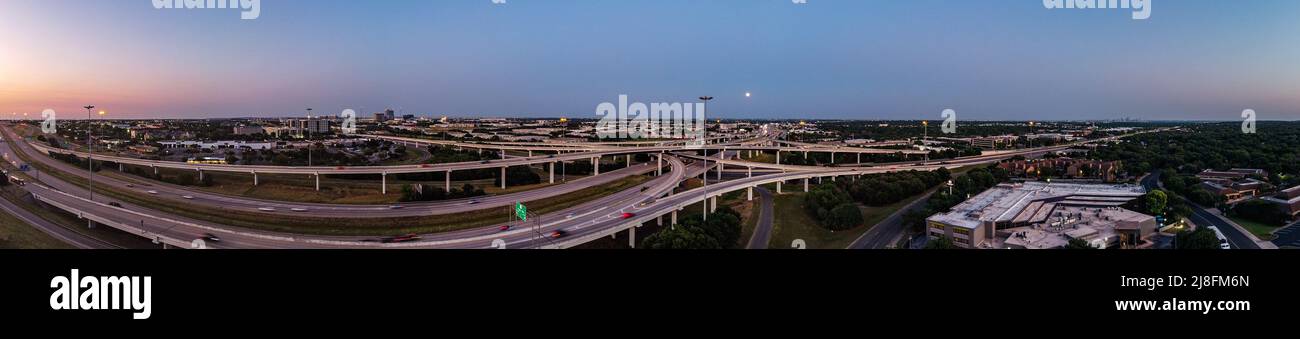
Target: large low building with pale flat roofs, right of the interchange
[1038,215]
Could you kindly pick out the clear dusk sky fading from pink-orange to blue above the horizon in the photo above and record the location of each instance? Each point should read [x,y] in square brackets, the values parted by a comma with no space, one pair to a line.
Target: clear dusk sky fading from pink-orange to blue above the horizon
[826,59]
